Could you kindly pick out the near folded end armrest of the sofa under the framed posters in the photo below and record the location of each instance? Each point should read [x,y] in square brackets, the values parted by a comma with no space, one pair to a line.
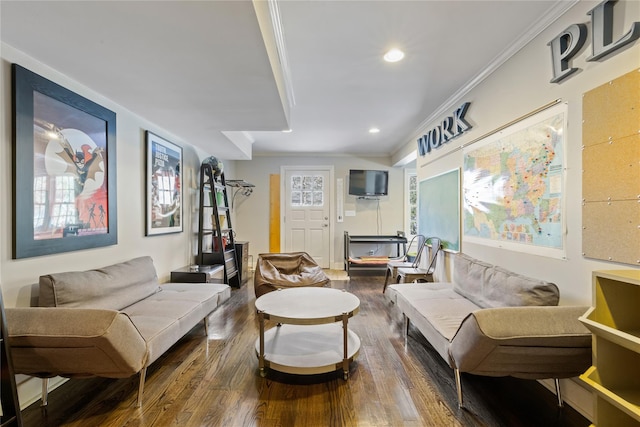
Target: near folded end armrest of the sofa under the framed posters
[70,342]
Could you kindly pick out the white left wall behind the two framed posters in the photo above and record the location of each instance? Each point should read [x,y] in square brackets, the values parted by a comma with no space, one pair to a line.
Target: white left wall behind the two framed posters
[18,278]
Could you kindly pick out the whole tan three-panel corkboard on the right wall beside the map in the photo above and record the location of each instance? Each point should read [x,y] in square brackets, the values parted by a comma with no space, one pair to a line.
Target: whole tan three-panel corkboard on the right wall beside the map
[611,171]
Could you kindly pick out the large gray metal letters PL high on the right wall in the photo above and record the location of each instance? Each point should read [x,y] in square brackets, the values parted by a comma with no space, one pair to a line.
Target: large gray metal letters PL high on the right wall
[568,43]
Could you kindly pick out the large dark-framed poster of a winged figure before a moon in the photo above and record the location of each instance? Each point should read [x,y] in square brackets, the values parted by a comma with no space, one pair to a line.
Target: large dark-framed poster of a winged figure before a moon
[64,169]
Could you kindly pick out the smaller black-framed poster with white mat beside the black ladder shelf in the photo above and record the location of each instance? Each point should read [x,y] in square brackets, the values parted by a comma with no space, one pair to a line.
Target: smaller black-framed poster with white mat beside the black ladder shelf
[164,189]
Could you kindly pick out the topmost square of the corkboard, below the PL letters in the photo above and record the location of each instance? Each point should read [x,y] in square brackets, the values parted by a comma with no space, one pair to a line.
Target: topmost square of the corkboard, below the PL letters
[612,110]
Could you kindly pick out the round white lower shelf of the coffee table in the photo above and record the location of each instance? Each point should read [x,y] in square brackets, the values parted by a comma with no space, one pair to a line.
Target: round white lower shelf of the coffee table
[308,349]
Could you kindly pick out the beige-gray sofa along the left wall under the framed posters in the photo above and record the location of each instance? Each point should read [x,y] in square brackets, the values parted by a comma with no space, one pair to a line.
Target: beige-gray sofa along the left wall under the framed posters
[110,322]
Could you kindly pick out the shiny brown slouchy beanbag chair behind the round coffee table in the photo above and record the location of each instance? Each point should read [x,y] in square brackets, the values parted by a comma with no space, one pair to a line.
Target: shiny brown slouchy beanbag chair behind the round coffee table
[287,270]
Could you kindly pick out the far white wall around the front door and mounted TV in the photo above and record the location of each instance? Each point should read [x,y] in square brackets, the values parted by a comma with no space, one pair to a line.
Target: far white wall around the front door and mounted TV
[252,213]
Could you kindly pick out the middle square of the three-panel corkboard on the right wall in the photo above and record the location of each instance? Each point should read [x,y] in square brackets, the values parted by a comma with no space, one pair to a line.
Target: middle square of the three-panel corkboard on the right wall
[612,170]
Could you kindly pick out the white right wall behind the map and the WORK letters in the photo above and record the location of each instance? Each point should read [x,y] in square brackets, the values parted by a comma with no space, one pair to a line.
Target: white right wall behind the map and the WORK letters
[518,87]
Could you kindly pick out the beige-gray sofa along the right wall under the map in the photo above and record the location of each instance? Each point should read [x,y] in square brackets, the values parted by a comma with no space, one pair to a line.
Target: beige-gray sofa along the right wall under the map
[491,321]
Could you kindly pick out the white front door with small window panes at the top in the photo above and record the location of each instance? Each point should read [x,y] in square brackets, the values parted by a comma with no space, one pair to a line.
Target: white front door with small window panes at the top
[307,211]
